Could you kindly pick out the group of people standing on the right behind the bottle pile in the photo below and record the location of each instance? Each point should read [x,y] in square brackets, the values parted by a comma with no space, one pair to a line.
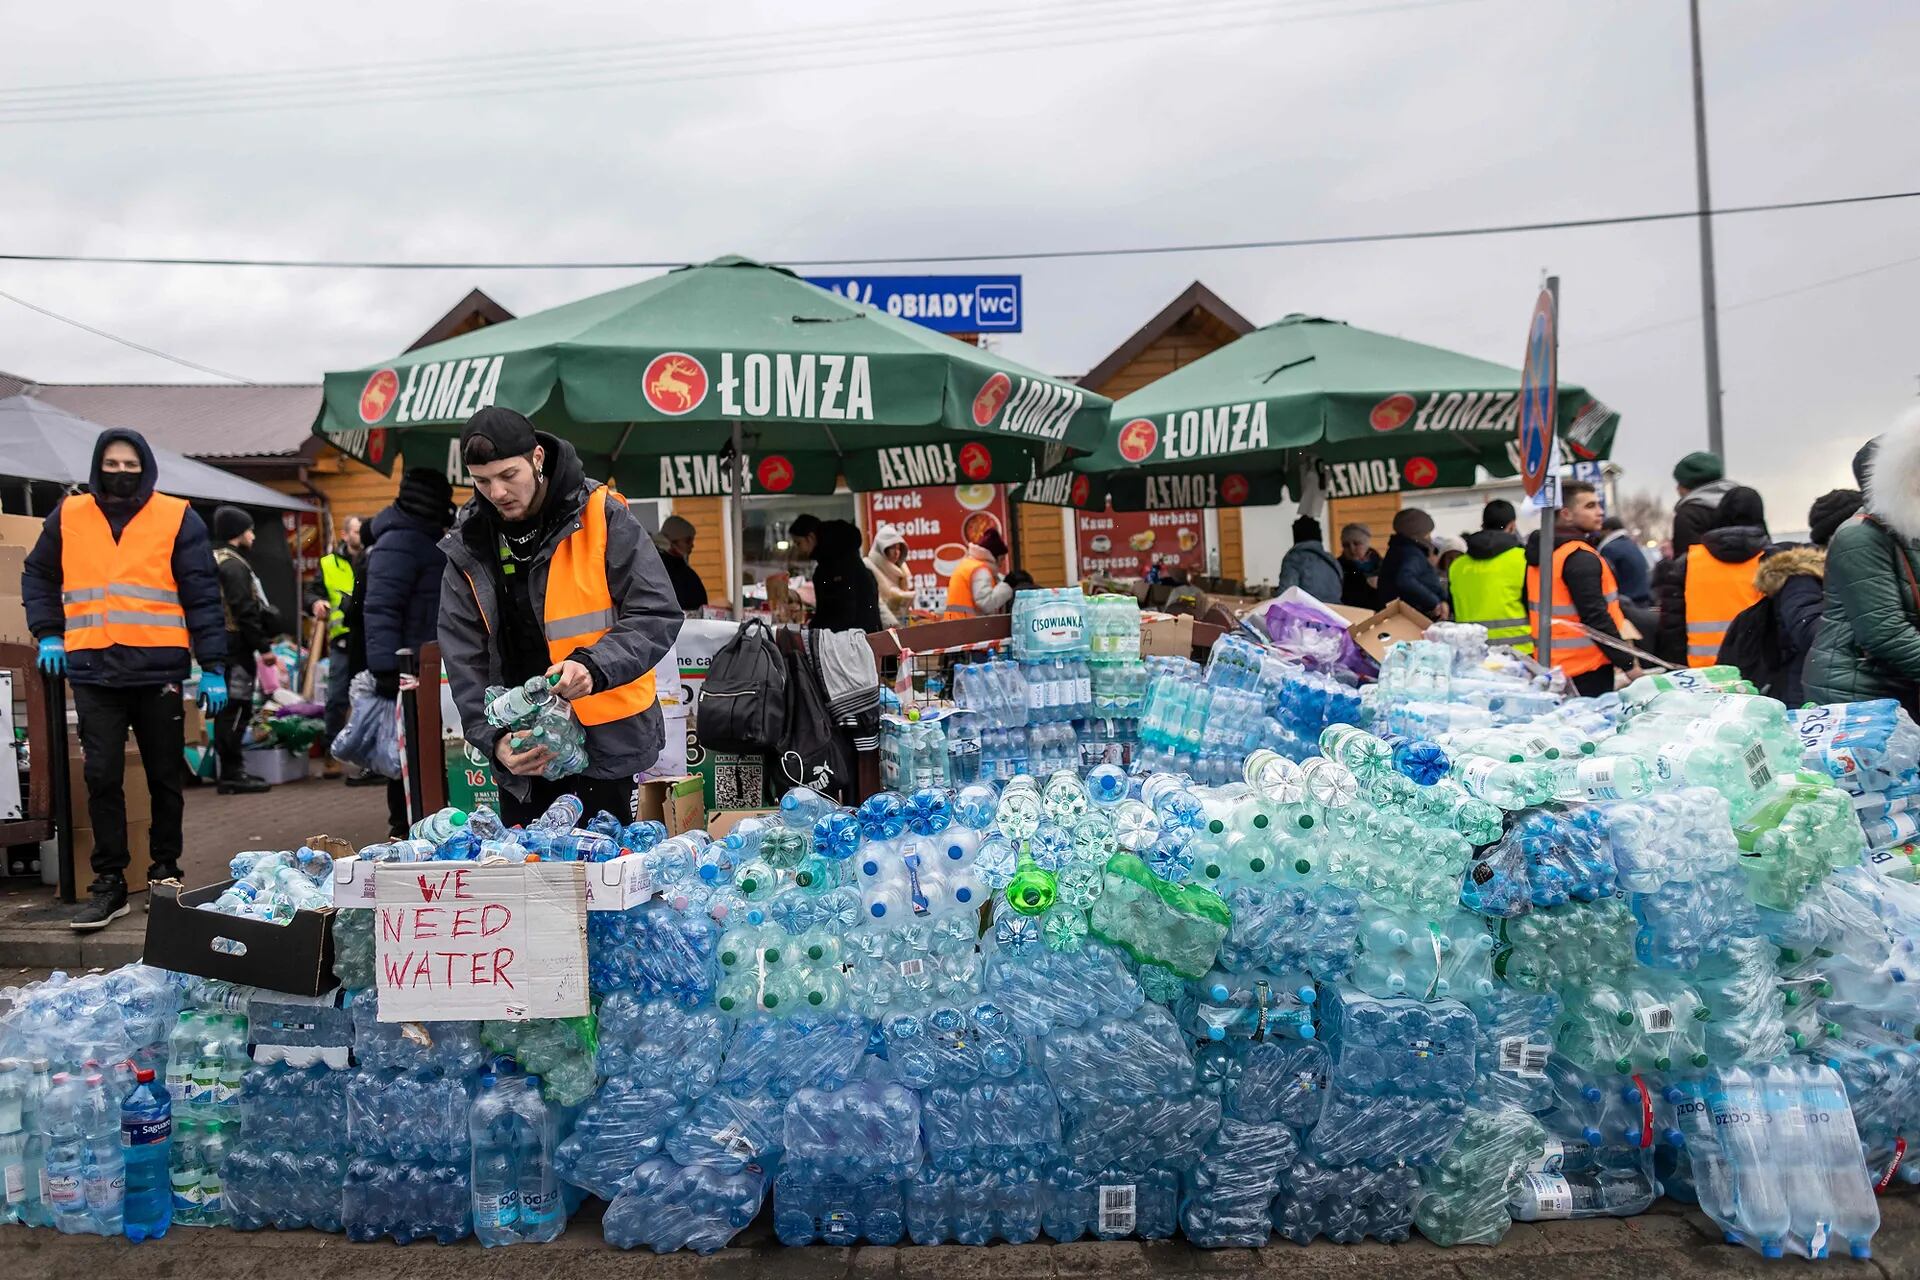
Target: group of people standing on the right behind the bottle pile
[1833,619]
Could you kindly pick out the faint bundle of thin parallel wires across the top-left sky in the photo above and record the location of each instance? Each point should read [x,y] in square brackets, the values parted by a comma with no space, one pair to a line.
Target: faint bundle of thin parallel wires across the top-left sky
[700,59]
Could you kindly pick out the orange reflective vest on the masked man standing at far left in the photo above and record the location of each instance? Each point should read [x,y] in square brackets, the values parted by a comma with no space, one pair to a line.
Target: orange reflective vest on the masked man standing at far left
[120,590]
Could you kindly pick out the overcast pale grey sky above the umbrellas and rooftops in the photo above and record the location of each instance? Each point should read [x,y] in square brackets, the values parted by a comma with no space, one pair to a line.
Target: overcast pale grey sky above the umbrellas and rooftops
[1007,128]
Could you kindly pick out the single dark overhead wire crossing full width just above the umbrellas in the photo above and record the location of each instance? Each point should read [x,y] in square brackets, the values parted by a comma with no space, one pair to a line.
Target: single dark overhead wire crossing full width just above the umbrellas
[1222,247]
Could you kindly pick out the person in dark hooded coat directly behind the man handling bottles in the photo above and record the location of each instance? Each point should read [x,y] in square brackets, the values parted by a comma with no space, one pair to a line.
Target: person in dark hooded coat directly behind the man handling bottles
[400,605]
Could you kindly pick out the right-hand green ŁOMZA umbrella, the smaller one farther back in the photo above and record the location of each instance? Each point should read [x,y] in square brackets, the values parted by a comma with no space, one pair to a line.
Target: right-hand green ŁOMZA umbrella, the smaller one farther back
[1312,392]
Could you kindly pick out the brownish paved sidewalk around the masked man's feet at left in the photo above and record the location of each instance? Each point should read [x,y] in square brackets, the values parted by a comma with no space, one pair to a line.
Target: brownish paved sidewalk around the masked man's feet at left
[34,924]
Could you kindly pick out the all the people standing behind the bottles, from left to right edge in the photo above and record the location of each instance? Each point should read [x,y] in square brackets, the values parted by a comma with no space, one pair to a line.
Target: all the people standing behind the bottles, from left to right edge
[546,573]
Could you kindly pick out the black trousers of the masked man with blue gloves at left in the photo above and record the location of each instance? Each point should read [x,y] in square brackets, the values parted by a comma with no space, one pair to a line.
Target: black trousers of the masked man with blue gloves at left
[155,715]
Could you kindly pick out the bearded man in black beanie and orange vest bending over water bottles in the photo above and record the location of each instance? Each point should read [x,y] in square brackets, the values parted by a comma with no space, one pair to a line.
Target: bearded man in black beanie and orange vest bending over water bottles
[550,575]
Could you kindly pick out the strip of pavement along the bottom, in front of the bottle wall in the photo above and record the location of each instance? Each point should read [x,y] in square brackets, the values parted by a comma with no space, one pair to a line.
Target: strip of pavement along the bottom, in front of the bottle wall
[1669,1244]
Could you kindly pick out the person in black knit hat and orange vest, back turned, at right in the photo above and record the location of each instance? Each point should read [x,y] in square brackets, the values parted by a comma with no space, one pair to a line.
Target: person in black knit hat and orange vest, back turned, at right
[1704,590]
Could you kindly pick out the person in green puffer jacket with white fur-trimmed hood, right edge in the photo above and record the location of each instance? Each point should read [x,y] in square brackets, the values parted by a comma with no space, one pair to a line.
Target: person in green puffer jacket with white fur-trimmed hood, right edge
[1869,644]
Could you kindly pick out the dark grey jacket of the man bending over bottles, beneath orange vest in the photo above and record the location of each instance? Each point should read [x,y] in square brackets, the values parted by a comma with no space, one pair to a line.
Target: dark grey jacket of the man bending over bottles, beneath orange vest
[646,621]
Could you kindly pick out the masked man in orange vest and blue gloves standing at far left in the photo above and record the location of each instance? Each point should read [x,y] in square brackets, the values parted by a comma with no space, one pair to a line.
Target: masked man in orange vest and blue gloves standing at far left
[118,590]
